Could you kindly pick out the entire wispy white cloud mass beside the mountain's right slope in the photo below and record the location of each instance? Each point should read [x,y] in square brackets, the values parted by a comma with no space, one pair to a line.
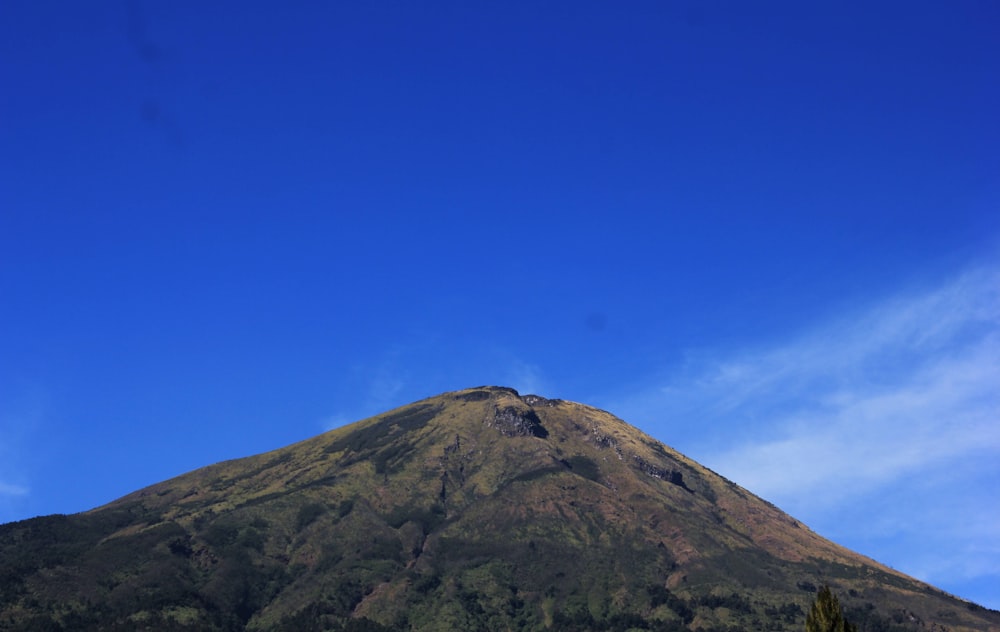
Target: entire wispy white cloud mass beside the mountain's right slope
[888,401]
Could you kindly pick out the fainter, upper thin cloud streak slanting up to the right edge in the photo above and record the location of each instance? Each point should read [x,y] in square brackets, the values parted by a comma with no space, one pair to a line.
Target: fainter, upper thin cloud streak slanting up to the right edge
[878,346]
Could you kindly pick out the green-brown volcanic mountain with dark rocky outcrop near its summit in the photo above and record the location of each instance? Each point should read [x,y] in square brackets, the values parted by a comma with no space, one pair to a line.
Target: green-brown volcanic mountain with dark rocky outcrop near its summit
[475,510]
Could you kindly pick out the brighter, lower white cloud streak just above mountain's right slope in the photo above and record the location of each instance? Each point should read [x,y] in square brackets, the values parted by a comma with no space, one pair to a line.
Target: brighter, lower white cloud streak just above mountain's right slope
[865,437]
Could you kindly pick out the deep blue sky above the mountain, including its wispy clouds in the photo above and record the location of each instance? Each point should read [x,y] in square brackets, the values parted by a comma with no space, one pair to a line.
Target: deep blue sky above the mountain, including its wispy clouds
[766,235]
